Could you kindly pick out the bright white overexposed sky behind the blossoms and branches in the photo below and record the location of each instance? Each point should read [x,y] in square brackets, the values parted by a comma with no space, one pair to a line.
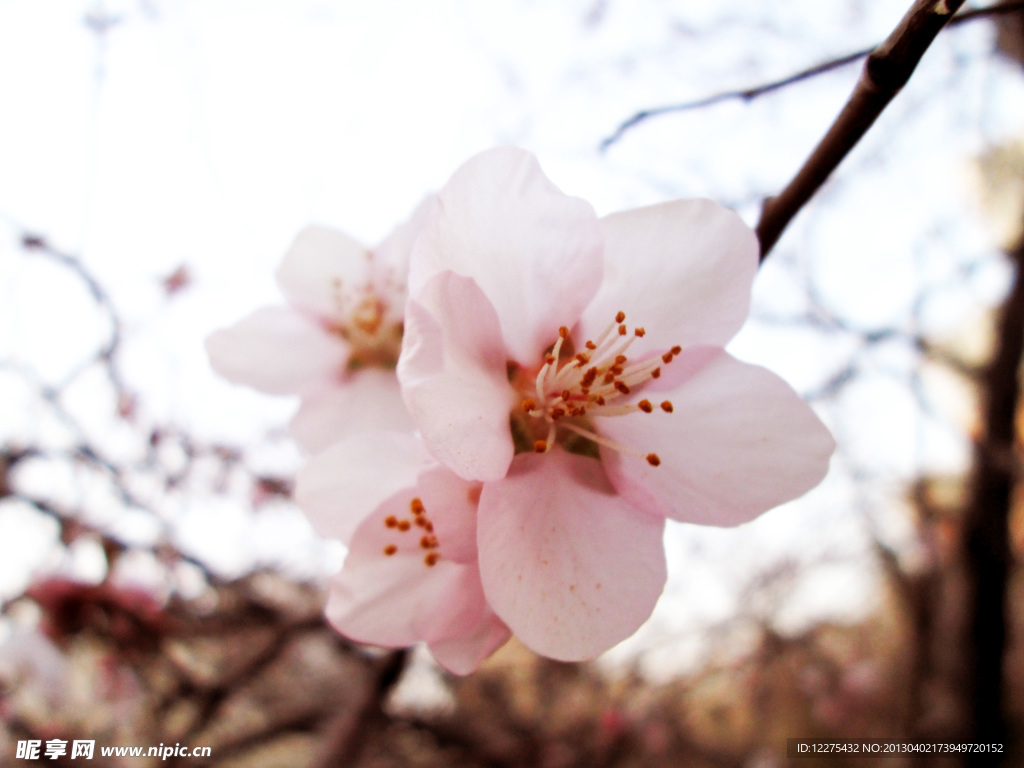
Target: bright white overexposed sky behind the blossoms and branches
[207,134]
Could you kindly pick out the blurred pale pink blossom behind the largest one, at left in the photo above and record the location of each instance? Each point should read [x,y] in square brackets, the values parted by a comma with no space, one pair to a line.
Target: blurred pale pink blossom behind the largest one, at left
[336,343]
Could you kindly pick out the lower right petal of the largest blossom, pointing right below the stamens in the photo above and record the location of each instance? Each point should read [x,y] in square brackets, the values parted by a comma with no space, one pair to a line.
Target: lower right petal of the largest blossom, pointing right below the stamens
[740,442]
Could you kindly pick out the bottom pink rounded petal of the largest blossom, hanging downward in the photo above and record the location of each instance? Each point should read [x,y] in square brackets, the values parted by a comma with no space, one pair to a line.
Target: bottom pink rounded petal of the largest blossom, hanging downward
[570,567]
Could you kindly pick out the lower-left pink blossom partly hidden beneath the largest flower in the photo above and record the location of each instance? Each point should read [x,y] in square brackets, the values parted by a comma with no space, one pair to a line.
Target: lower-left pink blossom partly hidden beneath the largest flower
[412,573]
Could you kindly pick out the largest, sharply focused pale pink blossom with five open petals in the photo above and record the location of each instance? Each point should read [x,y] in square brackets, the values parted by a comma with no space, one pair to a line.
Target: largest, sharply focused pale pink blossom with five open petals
[522,373]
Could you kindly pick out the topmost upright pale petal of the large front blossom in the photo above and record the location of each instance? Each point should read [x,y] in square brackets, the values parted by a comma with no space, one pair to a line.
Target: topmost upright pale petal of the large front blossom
[534,251]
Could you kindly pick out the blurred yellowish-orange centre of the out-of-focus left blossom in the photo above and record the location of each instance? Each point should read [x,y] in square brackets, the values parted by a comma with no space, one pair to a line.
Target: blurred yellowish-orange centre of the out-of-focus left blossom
[365,319]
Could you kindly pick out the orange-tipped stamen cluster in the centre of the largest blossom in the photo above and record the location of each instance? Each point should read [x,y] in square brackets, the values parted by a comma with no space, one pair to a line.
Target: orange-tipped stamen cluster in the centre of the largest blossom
[572,389]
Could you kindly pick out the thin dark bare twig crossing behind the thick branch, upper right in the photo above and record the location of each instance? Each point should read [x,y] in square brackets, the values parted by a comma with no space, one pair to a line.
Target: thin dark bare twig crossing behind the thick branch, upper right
[749,95]
